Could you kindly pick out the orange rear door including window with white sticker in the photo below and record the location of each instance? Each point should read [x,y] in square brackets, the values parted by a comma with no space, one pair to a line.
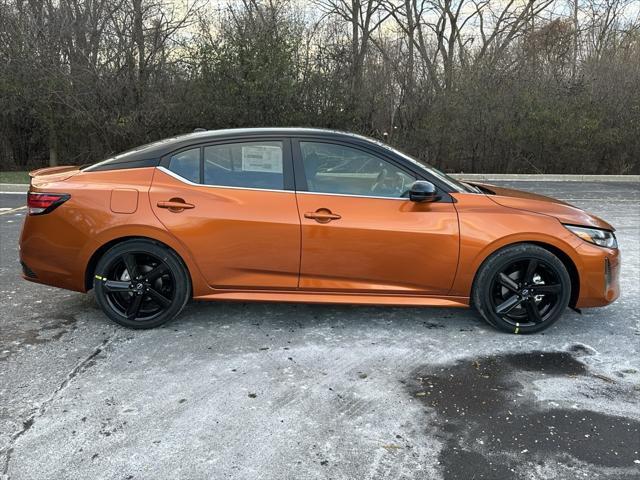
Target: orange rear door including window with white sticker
[232,204]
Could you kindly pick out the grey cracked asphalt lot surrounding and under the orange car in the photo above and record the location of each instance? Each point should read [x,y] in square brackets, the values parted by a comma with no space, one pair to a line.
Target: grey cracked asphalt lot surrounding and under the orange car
[285,391]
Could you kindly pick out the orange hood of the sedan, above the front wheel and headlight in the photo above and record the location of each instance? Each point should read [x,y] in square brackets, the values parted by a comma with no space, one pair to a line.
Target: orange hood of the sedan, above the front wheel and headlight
[531,202]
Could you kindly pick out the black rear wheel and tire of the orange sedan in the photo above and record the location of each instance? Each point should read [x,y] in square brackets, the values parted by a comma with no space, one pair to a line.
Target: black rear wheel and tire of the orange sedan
[159,291]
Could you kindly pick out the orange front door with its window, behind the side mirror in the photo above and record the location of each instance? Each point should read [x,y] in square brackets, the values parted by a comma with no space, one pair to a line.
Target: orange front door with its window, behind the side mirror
[359,232]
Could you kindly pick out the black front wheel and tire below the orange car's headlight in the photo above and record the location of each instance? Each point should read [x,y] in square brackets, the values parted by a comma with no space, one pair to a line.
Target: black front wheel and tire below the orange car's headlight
[521,288]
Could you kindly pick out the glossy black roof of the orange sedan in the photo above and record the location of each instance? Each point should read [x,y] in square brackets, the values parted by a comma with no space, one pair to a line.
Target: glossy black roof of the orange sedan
[152,152]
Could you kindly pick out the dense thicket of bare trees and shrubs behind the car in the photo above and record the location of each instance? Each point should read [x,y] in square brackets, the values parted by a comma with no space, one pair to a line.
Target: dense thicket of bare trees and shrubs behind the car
[472,85]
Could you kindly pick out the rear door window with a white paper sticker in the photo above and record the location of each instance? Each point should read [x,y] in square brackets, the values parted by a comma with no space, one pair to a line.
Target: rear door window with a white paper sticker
[248,164]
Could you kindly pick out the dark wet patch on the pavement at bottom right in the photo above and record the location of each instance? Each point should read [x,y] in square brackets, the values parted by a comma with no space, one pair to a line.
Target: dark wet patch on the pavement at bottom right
[488,435]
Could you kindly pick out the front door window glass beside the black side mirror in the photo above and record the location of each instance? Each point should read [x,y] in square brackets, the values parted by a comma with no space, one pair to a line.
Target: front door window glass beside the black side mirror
[331,168]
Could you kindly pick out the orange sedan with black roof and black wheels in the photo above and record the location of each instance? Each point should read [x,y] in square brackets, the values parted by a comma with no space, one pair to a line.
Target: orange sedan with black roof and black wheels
[307,215]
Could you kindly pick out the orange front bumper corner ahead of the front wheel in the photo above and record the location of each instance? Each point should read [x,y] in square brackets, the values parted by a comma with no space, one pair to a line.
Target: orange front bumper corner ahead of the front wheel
[599,276]
